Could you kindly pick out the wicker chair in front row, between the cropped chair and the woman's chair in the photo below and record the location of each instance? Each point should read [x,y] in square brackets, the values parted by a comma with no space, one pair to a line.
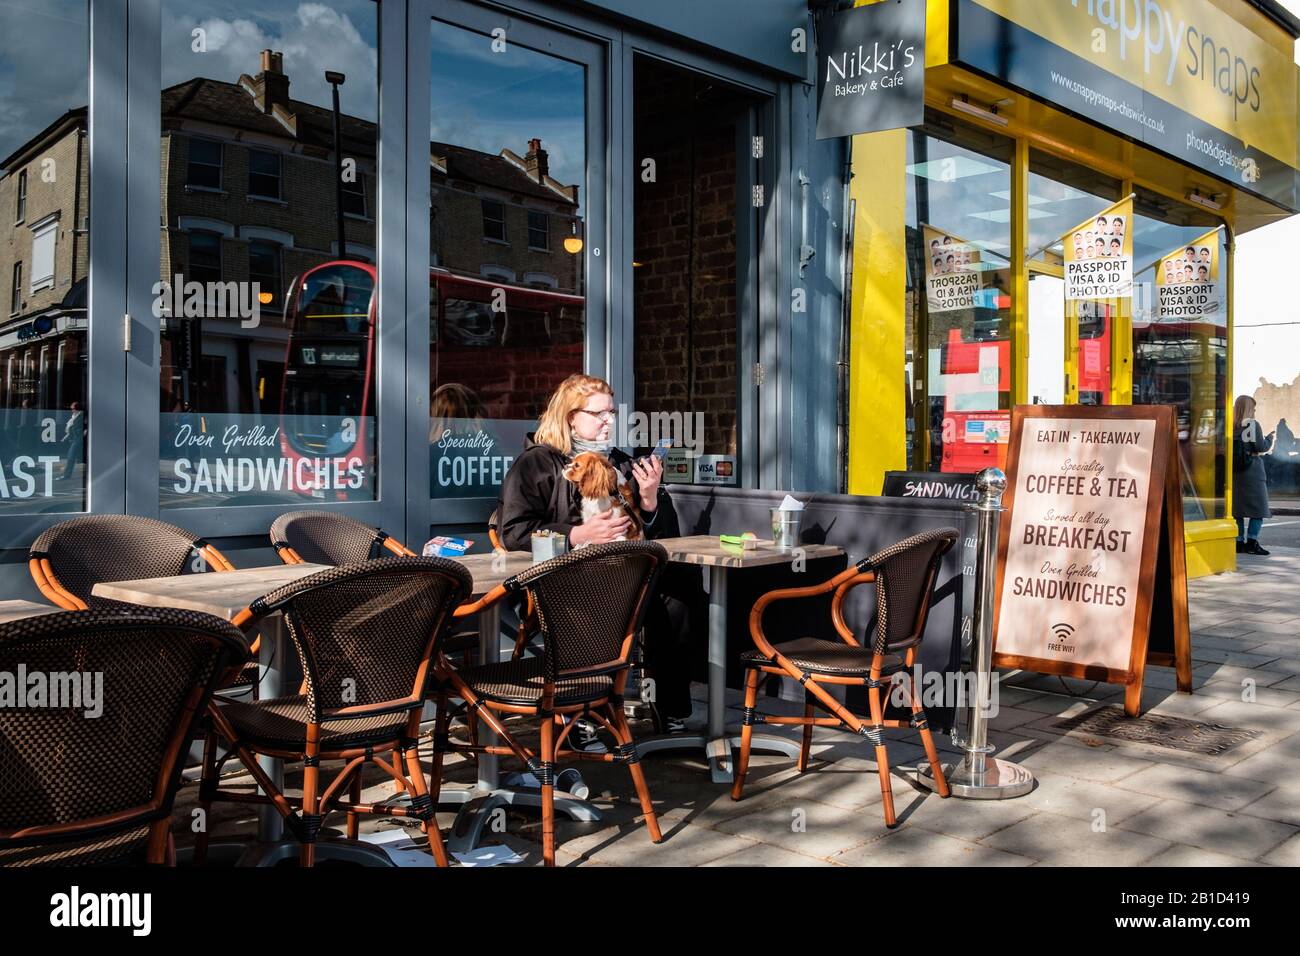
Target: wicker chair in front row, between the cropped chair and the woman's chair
[367,637]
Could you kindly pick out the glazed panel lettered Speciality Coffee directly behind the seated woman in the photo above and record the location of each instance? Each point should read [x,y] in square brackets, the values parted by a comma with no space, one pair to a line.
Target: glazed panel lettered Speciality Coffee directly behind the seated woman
[512,132]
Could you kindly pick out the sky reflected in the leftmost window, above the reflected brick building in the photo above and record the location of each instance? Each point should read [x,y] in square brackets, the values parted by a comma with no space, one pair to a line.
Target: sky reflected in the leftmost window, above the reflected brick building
[44,66]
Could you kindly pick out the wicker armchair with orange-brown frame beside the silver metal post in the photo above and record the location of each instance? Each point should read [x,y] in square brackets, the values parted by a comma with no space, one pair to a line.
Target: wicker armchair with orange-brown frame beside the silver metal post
[904,576]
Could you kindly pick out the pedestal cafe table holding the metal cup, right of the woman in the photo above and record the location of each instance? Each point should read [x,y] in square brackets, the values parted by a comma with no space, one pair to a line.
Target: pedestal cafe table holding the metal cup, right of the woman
[718,560]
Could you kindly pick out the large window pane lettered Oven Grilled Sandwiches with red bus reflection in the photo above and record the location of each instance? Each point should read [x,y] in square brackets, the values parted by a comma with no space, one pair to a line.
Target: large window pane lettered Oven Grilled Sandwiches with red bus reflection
[257,374]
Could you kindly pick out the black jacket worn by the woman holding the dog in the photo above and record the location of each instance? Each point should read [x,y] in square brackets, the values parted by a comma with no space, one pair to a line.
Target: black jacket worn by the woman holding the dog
[536,496]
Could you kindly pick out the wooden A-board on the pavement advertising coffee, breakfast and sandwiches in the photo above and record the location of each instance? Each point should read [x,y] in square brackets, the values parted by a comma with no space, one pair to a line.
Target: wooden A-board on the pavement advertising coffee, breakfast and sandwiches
[1093,577]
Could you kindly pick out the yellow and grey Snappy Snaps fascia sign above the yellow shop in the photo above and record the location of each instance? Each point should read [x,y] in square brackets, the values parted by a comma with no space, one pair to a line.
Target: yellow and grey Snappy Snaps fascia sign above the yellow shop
[1185,77]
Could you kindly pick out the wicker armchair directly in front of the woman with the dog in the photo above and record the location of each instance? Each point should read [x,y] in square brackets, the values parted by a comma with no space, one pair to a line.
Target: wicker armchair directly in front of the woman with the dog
[590,608]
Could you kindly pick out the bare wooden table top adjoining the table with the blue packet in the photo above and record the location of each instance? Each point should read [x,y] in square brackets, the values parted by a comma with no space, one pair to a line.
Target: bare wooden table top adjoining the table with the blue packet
[223,594]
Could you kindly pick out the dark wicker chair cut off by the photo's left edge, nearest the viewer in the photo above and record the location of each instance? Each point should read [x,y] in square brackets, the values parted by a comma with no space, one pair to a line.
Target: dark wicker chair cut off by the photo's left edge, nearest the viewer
[98,790]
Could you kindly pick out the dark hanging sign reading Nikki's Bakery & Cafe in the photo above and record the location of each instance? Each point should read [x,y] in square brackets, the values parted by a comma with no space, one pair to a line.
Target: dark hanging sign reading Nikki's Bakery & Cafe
[872,68]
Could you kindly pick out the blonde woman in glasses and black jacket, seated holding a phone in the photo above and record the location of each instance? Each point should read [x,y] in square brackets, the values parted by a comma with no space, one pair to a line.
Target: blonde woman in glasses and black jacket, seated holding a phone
[536,496]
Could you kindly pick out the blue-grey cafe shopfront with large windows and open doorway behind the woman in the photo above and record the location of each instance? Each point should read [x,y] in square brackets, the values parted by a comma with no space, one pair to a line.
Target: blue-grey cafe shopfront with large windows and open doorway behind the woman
[638,185]
